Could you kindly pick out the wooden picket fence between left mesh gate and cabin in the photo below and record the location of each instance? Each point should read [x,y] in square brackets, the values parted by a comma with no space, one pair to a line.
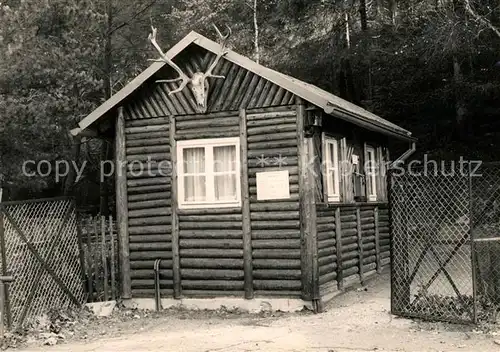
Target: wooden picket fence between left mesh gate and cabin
[100,248]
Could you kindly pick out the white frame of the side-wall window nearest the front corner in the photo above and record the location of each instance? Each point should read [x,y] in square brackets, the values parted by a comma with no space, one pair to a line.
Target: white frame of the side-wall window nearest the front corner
[333,197]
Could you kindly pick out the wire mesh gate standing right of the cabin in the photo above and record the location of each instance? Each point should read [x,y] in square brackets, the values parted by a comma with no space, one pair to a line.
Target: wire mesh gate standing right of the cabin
[445,229]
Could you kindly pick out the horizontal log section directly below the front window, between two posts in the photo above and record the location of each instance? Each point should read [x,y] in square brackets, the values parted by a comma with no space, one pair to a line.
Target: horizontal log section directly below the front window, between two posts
[211,252]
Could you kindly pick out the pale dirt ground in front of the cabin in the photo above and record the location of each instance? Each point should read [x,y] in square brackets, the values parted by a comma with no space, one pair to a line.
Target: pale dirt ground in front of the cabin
[356,321]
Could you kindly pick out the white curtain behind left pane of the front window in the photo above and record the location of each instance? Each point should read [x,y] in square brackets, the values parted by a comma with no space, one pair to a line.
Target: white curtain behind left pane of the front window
[194,175]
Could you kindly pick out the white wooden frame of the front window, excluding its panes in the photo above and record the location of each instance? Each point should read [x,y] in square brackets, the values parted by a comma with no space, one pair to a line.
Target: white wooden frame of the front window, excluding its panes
[208,145]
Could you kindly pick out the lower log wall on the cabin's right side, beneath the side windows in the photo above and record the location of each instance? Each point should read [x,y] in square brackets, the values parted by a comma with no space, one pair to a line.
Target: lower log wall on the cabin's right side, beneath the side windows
[363,249]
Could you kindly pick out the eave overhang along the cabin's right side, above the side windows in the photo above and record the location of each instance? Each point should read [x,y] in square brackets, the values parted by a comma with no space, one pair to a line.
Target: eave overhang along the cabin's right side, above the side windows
[367,124]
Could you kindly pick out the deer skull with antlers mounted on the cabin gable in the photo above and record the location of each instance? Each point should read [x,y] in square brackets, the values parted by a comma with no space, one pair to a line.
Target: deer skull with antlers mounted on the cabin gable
[198,82]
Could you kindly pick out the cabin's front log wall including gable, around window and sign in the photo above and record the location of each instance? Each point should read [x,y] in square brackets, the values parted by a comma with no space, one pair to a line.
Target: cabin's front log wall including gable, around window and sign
[209,247]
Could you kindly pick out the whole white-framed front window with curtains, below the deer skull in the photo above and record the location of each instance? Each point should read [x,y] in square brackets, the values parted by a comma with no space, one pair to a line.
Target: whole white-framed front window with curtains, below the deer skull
[209,173]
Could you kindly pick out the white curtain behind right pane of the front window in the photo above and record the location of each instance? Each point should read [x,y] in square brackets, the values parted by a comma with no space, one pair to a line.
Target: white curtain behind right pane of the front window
[225,173]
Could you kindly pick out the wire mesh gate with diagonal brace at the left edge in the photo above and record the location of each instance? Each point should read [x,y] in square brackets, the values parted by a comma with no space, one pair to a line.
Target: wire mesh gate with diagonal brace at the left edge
[39,247]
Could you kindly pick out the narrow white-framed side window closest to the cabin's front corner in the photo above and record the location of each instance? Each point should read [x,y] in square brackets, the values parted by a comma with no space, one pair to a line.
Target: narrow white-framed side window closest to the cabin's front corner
[331,154]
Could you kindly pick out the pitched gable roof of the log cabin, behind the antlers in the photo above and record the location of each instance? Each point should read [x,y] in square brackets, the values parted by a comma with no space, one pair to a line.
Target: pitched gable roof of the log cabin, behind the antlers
[330,103]
